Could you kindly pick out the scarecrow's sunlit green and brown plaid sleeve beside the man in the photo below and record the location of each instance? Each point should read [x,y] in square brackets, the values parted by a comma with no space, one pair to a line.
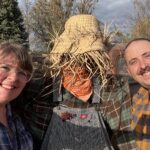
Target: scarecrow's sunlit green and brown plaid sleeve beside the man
[116,108]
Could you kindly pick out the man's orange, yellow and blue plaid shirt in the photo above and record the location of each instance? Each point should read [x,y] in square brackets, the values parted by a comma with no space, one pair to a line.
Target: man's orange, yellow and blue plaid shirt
[141,118]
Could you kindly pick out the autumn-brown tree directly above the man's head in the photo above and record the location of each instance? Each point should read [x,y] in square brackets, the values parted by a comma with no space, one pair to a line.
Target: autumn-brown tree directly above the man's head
[141,19]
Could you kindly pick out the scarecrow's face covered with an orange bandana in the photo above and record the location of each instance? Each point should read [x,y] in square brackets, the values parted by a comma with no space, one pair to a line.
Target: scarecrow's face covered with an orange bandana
[78,82]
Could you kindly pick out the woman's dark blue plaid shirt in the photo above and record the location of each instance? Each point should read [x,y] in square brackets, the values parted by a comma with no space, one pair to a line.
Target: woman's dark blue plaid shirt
[19,139]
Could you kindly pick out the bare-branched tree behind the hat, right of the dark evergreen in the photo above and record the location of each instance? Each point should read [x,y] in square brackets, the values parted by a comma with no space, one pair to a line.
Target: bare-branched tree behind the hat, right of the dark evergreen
[47,17]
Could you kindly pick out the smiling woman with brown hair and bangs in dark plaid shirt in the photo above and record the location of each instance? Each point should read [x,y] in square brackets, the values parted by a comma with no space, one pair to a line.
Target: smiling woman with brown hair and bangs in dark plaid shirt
[15,71]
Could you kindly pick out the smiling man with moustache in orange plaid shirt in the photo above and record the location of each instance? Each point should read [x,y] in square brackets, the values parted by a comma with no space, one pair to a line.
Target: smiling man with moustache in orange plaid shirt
[137,56]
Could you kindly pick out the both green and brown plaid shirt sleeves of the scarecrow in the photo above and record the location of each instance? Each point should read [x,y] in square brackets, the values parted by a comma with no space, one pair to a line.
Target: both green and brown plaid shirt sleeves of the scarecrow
[36,106]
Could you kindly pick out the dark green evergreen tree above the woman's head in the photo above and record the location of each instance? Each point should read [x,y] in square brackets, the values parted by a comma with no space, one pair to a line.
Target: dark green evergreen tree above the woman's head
[11,22]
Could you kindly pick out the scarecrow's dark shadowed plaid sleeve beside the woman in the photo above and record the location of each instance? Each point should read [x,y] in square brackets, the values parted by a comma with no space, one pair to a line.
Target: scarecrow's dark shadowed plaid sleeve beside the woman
[35,107]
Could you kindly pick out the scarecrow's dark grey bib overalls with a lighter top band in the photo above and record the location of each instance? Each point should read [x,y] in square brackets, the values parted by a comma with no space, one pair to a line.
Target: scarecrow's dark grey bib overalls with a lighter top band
[77,125]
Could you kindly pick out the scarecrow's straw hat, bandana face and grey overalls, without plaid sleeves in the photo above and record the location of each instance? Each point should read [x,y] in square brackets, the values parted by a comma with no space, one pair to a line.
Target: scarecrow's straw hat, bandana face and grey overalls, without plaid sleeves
[80,60]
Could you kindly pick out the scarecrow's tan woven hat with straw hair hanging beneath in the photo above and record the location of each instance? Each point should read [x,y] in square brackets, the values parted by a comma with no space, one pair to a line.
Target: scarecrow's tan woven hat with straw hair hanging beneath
[80,44]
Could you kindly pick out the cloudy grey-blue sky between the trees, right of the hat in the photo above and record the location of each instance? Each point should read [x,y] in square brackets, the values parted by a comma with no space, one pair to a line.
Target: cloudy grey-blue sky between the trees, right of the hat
[114,12]
